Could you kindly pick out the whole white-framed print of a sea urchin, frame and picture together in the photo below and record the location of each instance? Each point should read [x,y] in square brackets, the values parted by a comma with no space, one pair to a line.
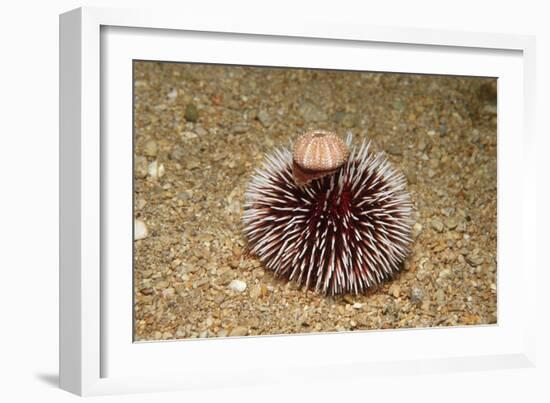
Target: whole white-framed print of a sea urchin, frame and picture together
[236,199]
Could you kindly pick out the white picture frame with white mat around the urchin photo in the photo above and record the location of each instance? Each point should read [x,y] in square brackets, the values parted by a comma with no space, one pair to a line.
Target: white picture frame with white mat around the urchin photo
[97,354]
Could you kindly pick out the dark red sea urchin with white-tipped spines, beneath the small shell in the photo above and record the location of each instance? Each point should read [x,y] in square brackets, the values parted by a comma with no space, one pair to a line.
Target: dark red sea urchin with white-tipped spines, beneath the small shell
[342,233]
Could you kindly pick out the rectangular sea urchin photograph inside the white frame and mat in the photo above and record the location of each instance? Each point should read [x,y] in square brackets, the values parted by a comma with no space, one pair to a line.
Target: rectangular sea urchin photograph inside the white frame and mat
[288,200]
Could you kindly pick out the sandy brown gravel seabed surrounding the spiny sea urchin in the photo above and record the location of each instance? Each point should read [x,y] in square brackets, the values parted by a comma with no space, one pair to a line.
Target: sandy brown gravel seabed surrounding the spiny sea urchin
[201,131]
